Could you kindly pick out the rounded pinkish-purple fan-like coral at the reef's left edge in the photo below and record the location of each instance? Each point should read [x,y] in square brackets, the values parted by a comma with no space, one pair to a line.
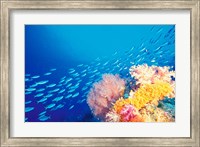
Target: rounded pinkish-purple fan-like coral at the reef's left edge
[104,93]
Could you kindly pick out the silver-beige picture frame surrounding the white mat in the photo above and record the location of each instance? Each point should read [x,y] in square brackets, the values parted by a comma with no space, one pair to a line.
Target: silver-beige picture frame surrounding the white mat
[7,6]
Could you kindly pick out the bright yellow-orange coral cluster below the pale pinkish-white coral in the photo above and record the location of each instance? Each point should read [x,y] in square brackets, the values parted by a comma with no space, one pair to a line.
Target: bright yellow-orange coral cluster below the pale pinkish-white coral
[148,93]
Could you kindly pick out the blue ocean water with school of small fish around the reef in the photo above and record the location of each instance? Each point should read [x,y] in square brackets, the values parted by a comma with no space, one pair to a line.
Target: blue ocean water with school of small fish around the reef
[63,61]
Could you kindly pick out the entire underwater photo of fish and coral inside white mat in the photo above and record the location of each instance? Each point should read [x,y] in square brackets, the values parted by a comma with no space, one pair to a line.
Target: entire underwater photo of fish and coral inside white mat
[99,73]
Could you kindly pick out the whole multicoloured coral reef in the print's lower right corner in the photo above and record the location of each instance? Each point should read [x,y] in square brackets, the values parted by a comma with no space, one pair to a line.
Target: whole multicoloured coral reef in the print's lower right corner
[144,102]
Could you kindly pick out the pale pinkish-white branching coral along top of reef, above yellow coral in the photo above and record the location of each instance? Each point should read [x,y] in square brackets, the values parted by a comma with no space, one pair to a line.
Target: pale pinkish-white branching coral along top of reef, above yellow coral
[145,74]
